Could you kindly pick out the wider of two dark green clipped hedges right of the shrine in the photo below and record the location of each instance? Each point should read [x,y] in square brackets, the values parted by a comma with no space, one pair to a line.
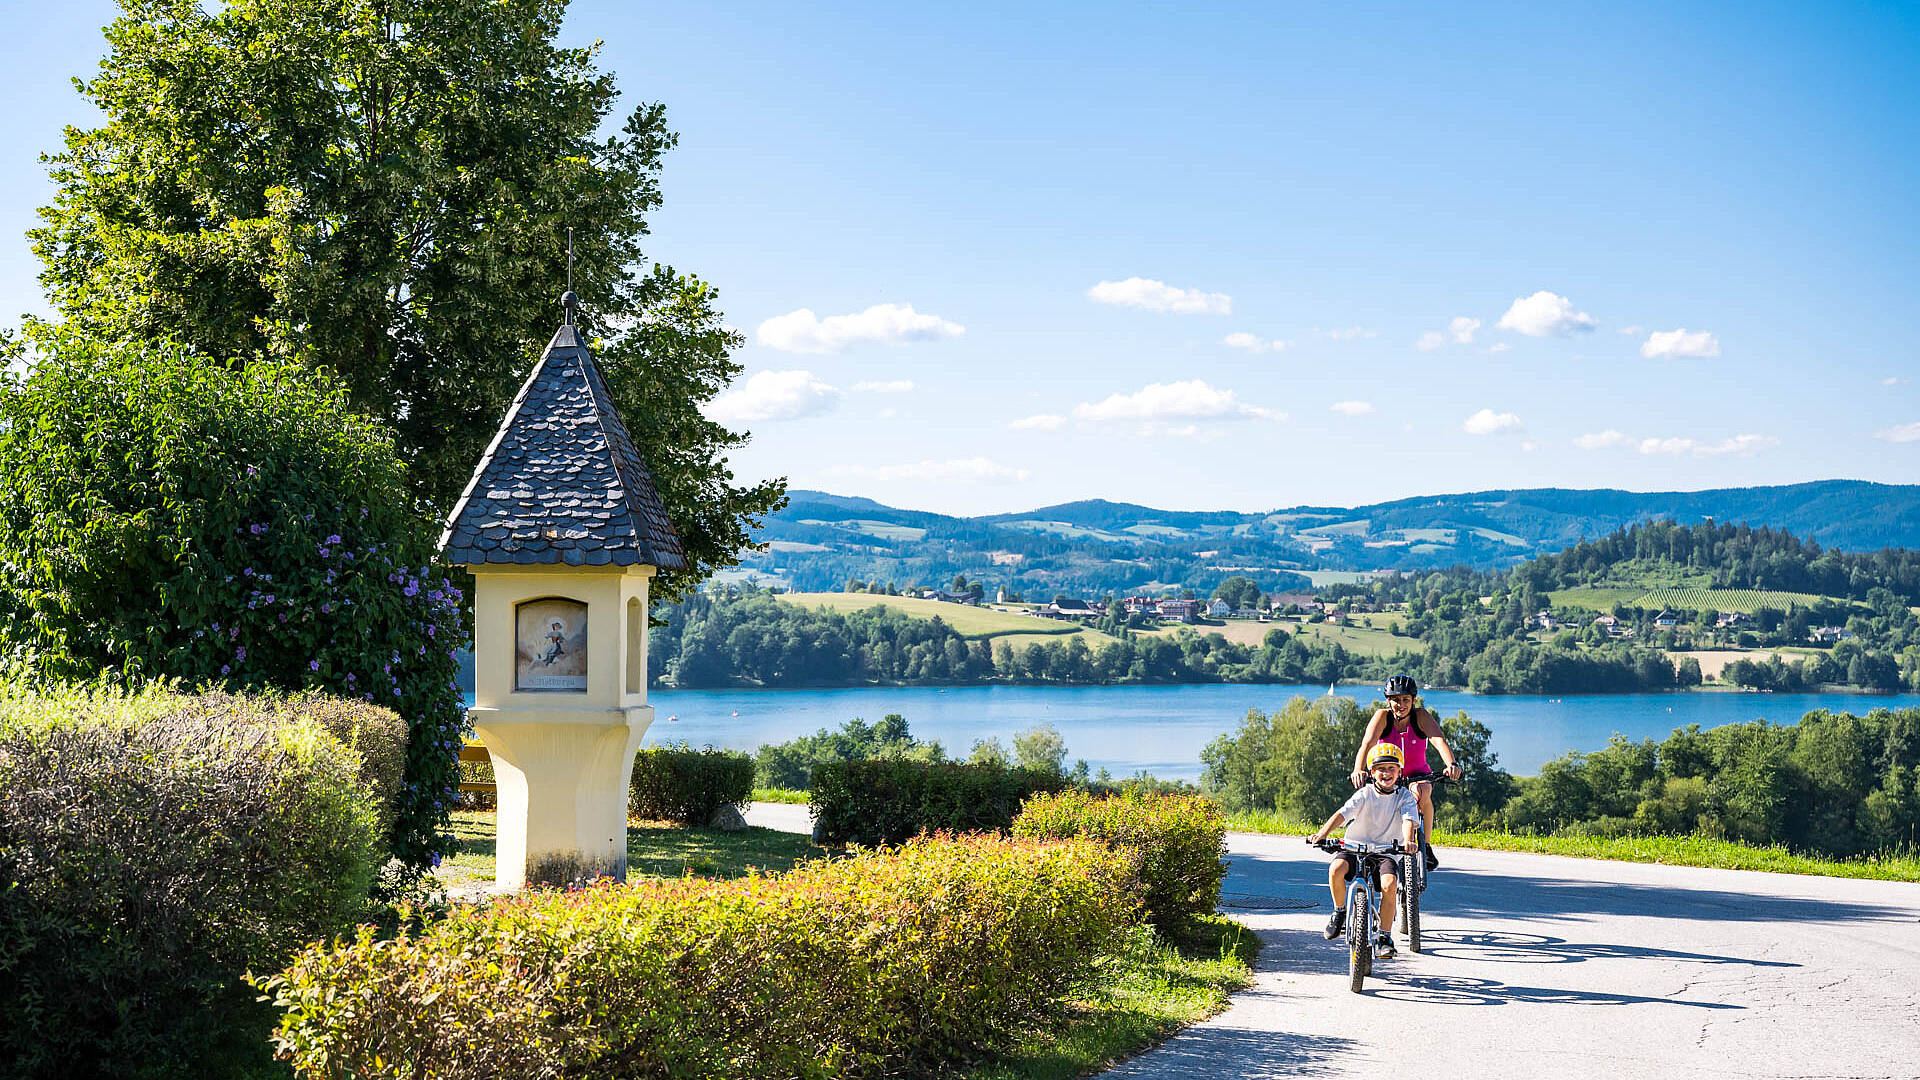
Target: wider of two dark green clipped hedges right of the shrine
[890,800]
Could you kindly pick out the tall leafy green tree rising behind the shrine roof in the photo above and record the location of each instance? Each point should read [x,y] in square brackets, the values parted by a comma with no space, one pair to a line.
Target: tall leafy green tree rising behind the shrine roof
[385,189]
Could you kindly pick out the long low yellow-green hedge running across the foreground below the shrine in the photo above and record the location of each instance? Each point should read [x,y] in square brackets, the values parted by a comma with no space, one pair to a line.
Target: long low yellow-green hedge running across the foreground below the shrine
[903,962]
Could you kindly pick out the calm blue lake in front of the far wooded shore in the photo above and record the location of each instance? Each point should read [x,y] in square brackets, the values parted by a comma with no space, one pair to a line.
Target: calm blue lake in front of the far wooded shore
[1163,729]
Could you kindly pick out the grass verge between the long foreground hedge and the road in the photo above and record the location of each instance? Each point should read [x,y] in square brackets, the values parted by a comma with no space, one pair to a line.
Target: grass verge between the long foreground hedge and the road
[1138,1000]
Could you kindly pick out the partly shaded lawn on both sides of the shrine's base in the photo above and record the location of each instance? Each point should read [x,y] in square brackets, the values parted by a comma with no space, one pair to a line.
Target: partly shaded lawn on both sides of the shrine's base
[654,848]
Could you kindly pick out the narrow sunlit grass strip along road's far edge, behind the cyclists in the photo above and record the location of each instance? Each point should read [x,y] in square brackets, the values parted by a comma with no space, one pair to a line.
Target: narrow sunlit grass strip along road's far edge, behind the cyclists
[1668,850]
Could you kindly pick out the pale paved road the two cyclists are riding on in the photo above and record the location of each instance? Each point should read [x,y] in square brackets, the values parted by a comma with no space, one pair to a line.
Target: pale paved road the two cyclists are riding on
[1541,966]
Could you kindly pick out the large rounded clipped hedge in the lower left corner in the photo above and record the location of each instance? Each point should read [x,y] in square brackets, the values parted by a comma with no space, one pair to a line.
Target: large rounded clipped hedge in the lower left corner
[153,852]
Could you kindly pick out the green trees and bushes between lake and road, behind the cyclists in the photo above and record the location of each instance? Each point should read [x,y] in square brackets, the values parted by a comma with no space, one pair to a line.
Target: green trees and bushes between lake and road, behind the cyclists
[1831,795]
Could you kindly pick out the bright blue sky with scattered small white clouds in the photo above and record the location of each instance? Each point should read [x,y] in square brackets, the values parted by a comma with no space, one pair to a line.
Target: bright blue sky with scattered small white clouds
[996,257]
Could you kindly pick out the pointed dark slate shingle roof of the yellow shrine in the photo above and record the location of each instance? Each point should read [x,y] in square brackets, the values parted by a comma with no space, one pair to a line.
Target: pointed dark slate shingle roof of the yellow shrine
[562,481]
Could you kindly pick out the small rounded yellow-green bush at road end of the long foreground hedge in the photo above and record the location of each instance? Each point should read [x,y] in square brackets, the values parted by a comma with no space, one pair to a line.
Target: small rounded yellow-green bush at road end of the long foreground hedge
[1180,843]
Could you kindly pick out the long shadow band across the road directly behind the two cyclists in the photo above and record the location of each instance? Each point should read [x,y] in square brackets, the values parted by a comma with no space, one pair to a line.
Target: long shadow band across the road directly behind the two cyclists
[1472,895]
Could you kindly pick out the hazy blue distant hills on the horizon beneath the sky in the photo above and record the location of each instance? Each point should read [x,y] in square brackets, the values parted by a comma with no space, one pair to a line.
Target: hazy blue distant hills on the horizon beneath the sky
[1095,547]
